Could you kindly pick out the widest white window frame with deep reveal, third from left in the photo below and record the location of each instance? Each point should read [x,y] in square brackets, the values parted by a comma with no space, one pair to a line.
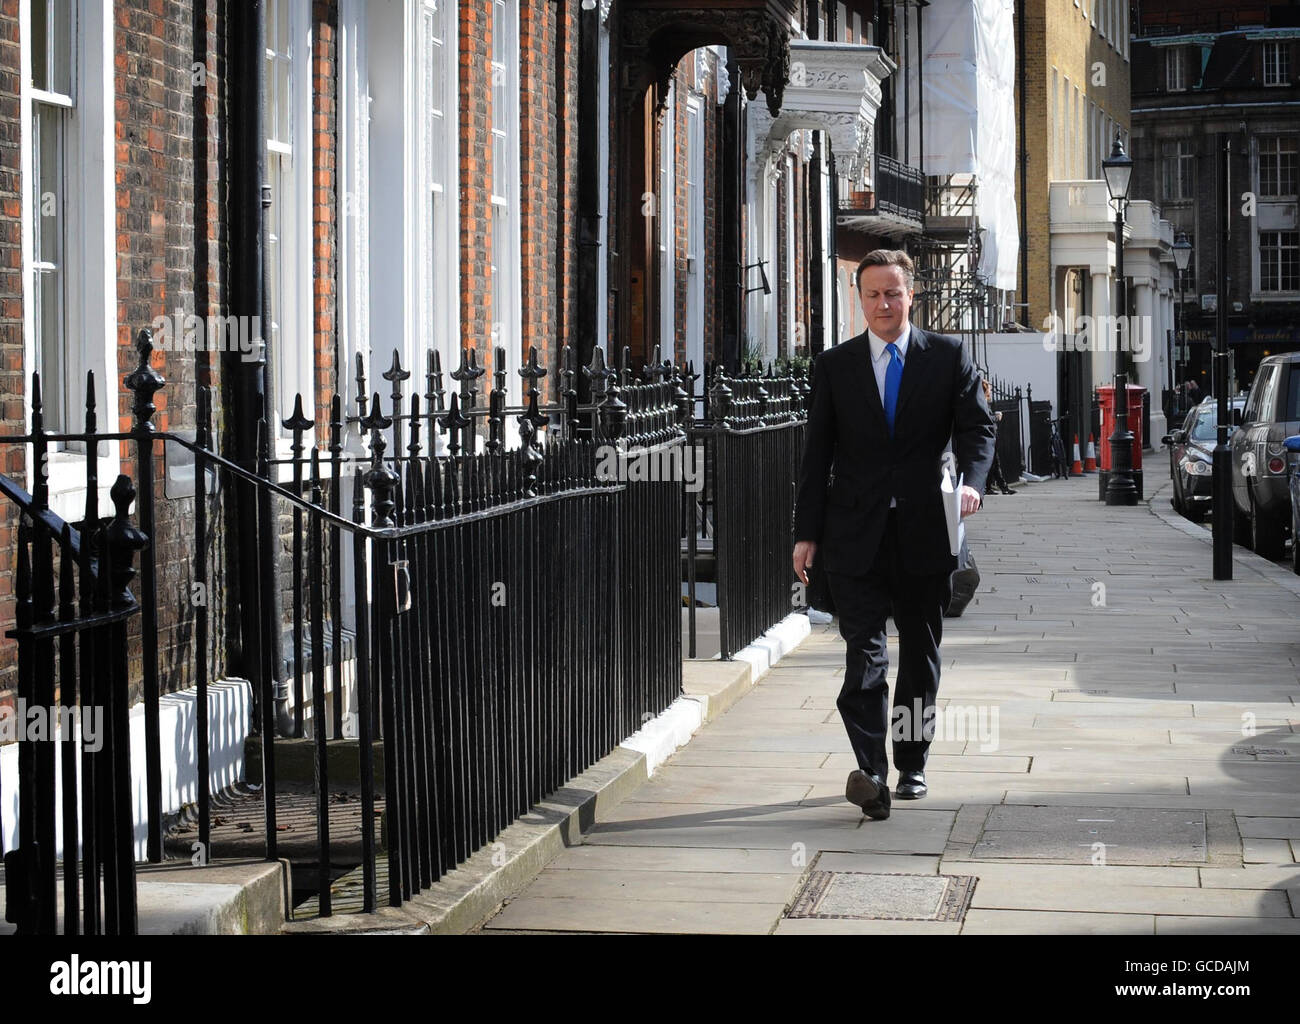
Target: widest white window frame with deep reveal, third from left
[385,159]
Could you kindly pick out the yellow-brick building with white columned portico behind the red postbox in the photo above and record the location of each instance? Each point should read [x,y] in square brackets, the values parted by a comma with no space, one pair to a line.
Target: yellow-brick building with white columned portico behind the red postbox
[1076,75]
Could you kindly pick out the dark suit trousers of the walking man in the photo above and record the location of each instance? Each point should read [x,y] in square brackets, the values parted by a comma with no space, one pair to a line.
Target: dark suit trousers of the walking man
[864,604]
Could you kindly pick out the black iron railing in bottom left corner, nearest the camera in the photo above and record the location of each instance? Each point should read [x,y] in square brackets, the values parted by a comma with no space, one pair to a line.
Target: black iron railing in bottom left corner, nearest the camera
[73,606]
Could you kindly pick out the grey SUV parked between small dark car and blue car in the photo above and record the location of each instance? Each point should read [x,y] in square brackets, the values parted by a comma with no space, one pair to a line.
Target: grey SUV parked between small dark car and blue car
[1262,496]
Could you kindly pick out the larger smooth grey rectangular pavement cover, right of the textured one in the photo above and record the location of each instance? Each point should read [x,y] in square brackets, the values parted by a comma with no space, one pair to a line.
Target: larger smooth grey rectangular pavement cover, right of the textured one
[1094,835]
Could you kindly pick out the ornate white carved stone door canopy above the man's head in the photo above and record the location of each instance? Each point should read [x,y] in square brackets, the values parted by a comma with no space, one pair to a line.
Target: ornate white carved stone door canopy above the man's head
[834,88]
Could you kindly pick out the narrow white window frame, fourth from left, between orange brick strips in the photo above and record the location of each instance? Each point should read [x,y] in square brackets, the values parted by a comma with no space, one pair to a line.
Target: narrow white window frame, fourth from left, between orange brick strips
[506,196]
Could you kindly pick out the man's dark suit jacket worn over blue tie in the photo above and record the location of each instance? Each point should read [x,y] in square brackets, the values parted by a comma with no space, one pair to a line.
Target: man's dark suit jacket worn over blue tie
[852,467]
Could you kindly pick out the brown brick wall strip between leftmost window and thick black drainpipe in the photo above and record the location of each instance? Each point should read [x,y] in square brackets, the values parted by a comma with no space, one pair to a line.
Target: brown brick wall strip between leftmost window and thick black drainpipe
[171,257]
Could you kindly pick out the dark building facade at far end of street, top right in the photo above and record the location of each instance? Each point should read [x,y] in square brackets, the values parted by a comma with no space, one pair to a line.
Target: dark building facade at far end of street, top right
[1208,76]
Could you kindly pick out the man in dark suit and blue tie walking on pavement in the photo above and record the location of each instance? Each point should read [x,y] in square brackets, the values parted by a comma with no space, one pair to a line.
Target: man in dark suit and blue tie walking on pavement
[870,515]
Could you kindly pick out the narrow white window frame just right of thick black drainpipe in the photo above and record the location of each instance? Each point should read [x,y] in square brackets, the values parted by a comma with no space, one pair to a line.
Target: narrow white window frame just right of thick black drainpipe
[293,332]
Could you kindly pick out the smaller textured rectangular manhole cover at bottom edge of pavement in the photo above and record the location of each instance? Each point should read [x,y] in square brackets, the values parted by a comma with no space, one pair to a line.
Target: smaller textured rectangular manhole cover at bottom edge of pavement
[885,897]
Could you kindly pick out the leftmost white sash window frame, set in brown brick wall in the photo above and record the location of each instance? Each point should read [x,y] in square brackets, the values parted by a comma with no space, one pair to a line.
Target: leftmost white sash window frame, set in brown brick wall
[89,251]
